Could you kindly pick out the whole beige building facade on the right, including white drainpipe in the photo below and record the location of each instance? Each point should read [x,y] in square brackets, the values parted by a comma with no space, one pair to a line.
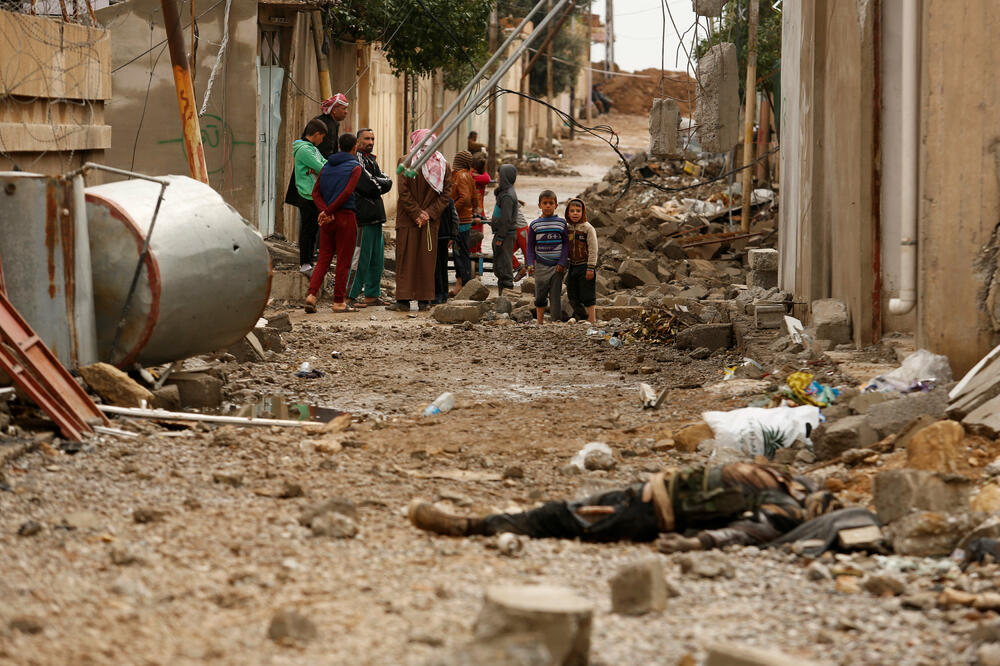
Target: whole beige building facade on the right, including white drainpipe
[889,167]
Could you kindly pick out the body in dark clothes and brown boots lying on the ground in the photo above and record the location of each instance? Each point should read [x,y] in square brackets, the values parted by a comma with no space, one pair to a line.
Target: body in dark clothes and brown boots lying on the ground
[694,508]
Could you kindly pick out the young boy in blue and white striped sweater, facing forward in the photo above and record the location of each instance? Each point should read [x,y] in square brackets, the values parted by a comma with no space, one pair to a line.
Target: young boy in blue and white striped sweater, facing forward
[548,249]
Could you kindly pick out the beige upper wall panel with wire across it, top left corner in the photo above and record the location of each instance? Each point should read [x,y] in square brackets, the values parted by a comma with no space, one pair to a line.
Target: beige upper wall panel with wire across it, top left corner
[44,57]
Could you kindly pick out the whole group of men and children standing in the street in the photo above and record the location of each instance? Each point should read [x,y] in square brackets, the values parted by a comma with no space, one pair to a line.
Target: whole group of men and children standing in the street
[338,186]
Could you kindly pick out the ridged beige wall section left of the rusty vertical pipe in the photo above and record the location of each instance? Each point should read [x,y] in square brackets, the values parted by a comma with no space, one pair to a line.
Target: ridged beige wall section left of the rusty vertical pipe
[827,157]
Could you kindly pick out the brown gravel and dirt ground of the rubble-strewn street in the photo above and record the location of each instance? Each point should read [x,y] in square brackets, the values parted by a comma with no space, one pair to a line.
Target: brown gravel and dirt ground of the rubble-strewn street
[200,582]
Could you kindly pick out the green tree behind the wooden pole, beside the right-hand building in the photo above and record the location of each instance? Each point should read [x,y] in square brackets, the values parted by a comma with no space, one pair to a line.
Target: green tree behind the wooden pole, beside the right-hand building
[734,26]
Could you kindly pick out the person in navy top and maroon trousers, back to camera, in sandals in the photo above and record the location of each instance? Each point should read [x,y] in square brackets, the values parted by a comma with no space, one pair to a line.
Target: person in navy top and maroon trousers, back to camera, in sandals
[334,196]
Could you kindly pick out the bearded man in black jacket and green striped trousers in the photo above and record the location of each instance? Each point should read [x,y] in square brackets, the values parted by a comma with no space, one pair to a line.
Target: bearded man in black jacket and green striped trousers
[372,185]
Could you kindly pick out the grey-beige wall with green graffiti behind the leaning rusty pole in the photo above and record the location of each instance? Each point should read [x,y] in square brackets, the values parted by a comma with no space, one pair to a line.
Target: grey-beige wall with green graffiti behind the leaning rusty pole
[146,134]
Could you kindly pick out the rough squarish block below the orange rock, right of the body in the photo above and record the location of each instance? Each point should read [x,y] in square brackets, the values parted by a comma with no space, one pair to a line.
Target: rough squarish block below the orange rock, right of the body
[900,491]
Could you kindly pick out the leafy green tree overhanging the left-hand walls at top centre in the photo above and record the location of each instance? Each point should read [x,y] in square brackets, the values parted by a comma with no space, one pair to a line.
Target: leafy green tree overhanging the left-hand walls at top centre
[416,43]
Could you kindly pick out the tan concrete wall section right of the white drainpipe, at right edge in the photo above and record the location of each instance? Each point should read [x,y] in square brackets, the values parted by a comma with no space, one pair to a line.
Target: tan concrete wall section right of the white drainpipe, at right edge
[959,206]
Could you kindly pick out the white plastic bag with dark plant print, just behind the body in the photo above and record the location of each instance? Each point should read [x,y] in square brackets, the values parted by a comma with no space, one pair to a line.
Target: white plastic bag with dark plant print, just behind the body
[761,432]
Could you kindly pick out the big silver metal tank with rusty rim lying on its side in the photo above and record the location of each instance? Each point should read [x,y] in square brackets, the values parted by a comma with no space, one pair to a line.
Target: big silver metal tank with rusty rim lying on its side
[203,285]
